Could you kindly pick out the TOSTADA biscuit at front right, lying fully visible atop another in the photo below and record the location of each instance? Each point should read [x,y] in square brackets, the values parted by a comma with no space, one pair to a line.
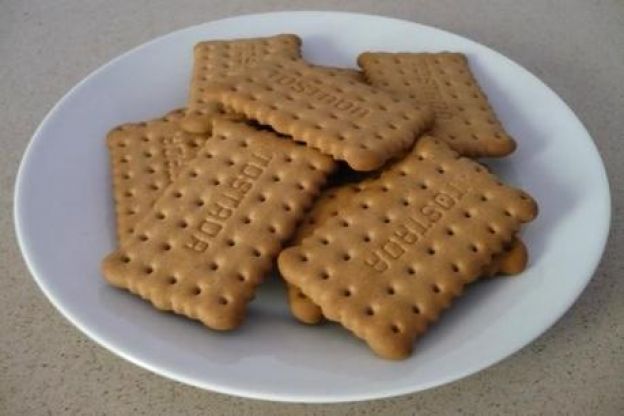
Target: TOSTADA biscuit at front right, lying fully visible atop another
[393,259]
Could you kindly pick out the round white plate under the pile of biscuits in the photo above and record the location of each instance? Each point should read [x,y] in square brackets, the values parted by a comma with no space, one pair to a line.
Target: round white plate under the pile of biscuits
[64,220]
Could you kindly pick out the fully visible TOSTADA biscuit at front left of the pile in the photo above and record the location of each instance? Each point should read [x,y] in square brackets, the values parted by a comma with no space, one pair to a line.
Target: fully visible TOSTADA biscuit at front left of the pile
[212,235]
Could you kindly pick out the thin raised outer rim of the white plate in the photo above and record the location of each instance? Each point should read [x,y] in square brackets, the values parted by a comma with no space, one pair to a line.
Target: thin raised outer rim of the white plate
[285,397]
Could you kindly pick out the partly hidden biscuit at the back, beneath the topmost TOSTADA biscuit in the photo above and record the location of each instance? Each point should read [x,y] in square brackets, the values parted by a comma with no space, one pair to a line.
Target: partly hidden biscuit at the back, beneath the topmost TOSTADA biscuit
[216,59]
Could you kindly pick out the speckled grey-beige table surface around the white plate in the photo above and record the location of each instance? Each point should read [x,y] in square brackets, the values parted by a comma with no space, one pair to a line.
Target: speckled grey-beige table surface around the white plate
[48,367]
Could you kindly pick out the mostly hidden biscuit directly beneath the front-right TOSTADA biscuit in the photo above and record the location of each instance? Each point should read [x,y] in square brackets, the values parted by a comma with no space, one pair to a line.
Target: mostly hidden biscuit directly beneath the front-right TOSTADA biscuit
[512,260]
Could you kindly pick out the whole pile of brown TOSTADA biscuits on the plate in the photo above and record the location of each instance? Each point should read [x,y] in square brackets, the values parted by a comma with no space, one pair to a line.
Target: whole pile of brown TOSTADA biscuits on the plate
[359,184]
